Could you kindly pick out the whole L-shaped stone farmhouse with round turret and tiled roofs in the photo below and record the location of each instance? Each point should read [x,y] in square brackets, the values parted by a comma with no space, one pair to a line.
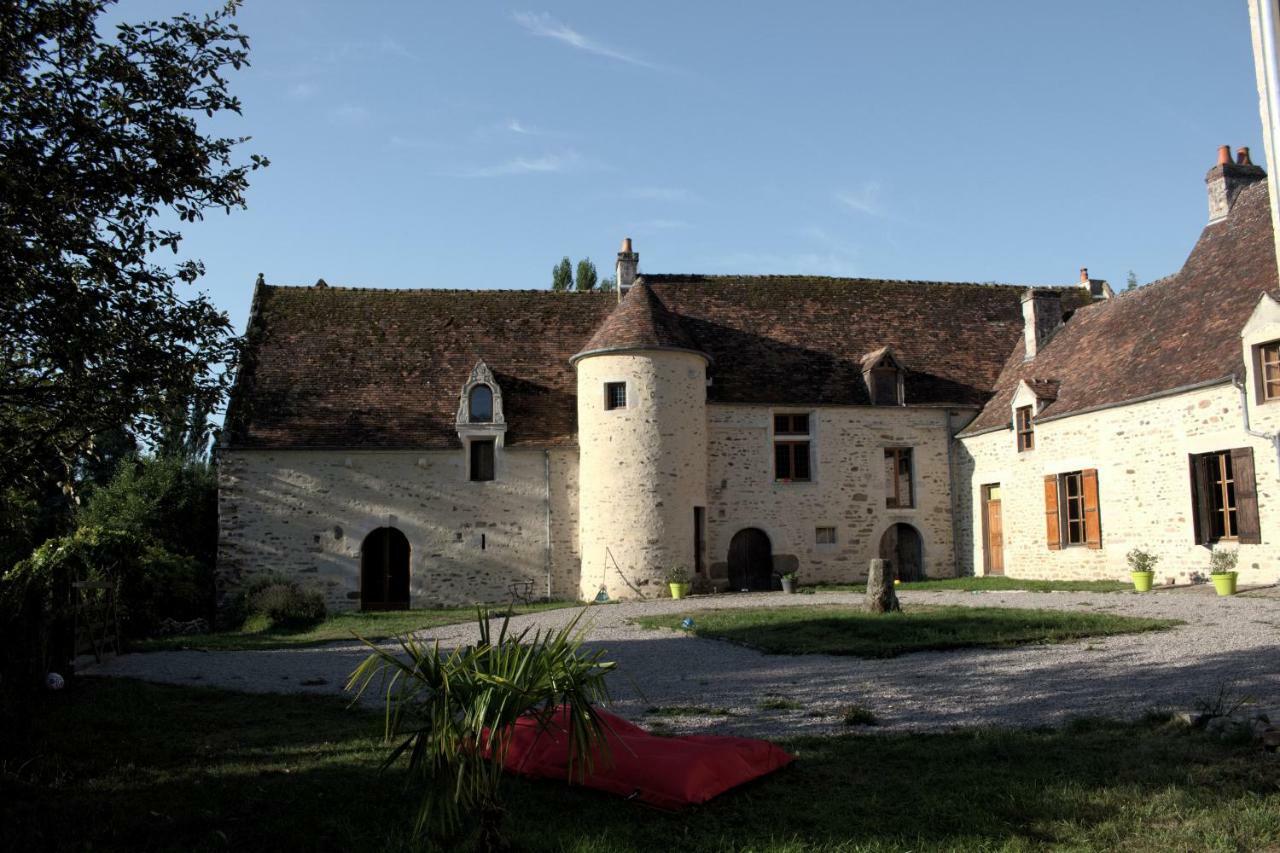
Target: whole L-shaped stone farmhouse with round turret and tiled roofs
[412,448]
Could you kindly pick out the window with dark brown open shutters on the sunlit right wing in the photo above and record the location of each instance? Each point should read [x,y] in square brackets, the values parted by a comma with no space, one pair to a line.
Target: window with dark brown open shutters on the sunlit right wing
[1224,498]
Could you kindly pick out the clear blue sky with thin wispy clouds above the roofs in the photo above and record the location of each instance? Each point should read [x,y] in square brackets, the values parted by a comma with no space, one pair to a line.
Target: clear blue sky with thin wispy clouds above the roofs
[474,144]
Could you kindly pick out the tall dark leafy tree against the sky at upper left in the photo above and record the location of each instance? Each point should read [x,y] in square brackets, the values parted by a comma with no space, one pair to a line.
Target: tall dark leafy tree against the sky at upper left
[100,143]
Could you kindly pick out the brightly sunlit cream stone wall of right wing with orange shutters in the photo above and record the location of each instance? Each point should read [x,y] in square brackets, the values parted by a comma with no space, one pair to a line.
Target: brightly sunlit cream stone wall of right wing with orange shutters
[1145,495]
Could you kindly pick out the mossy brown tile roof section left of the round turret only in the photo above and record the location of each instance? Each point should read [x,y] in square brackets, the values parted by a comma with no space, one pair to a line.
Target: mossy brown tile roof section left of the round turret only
[340,367]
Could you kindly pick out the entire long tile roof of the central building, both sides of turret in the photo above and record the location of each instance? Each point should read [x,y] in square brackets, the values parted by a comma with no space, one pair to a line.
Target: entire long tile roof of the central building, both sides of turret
[354,368]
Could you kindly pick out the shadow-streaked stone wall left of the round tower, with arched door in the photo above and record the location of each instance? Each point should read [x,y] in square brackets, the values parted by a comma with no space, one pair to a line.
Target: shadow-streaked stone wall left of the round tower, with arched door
[307,513]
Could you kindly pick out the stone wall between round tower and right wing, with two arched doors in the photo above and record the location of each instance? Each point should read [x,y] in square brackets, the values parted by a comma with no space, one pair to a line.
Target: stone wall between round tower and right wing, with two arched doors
[847,491]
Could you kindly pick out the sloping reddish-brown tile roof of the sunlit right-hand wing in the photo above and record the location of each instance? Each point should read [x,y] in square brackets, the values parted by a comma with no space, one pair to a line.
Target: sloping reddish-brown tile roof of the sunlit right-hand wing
[1178,332]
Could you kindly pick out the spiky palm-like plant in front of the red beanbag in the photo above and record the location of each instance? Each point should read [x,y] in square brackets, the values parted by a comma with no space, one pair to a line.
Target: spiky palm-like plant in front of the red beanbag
[454,715]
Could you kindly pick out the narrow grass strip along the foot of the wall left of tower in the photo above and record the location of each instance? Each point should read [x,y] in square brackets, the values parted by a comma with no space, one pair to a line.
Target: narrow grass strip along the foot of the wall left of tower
[339,627]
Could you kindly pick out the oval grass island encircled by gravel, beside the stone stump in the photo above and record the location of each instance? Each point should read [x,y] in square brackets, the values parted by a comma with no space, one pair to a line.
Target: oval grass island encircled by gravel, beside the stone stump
[843,630]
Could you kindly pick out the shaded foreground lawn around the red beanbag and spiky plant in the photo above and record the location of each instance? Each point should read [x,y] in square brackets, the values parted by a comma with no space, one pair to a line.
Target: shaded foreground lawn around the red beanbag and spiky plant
[116,765]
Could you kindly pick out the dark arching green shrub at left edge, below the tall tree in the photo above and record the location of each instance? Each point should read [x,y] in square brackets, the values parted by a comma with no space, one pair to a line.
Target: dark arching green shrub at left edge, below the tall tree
[38,601]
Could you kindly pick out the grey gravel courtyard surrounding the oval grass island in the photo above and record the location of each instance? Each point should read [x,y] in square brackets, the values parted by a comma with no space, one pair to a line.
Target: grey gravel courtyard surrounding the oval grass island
[1233,641]
